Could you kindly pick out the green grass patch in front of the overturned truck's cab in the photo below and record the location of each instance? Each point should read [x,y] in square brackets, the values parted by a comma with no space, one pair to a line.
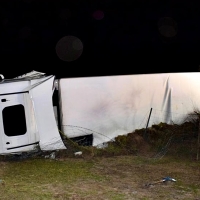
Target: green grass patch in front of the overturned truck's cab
[42,178]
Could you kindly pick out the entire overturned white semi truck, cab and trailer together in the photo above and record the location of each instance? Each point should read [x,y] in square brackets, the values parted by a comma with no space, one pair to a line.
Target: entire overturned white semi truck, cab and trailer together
[36,108]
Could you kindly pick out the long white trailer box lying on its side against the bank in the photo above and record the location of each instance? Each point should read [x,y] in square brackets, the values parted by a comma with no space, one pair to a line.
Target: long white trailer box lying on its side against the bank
[109,106]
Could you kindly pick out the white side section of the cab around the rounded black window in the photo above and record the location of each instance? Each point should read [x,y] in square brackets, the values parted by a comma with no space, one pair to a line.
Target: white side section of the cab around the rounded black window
[17,123]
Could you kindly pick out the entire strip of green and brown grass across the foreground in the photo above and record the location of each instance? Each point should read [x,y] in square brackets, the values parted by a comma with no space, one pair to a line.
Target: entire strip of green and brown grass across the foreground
[111,178]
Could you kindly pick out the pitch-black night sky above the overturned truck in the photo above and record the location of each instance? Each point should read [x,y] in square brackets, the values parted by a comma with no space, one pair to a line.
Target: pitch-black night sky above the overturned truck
[75,38]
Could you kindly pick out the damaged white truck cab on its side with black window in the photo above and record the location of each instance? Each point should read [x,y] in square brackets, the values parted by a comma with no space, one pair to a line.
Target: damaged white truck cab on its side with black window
[27,116]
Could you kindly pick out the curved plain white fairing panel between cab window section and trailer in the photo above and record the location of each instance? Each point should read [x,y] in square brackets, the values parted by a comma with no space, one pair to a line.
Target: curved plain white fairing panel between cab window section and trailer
[41,94]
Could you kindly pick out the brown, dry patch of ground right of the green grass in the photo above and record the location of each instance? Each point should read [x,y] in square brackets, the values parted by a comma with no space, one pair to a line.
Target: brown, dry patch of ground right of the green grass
[136,178]
